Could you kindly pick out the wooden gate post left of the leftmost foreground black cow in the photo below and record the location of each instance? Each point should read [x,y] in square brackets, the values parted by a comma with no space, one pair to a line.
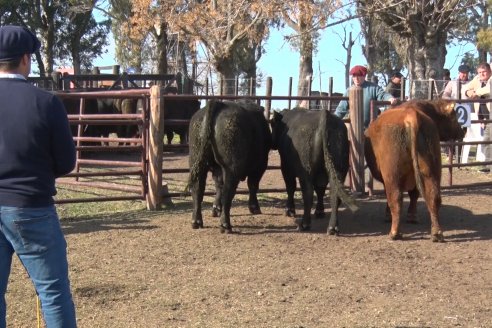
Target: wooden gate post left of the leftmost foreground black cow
[156,131]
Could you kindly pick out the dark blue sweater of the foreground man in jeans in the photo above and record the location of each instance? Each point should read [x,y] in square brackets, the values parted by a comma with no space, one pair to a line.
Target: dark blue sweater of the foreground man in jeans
[36,145]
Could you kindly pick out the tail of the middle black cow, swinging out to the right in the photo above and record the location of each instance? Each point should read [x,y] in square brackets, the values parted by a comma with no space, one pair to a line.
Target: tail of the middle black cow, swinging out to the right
[335,184]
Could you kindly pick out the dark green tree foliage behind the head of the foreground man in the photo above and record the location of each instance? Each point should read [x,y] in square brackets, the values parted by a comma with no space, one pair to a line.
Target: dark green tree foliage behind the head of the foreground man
[65,28]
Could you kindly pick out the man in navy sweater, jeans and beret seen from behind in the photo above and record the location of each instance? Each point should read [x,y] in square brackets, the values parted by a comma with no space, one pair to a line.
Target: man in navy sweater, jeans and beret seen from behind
[36,147]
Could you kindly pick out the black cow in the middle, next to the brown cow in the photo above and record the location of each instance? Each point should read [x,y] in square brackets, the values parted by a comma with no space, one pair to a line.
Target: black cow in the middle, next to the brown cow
[313,147]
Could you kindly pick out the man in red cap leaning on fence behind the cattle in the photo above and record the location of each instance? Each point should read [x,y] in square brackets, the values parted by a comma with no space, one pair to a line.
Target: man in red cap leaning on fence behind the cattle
[371,91]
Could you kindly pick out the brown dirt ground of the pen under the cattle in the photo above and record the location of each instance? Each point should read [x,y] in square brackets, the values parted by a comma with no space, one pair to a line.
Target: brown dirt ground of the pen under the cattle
[134,268]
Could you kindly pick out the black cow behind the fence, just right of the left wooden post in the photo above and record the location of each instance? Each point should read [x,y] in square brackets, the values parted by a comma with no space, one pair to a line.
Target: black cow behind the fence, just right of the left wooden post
[179,109]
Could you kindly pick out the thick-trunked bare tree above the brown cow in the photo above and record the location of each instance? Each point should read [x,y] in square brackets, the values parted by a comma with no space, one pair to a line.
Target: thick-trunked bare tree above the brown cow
[421,30]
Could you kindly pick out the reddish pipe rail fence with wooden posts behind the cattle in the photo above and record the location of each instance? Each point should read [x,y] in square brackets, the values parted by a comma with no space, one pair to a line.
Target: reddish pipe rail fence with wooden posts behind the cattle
[151,148]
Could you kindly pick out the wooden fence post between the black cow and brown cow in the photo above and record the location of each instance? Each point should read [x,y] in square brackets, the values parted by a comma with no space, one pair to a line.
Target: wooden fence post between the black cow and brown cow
[357,139]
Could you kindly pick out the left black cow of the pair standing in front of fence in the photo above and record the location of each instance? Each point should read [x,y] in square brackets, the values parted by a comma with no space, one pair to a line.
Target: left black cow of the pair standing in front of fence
[231,139]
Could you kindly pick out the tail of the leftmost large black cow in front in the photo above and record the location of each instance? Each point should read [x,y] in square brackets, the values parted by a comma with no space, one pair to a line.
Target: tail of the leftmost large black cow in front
[200,165]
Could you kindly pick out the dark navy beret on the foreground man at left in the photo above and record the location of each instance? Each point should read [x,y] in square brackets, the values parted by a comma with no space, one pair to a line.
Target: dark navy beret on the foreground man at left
[15,41]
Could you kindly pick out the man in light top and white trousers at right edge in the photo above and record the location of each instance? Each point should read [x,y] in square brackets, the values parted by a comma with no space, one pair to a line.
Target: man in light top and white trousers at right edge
[479,88]
